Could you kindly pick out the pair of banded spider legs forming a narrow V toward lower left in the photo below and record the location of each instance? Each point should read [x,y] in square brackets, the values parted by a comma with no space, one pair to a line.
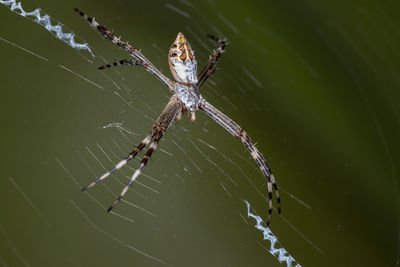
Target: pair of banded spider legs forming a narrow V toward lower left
[159,128]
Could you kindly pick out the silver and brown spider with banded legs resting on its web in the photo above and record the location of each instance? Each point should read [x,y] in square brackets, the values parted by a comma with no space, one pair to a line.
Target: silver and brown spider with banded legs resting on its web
[185,99]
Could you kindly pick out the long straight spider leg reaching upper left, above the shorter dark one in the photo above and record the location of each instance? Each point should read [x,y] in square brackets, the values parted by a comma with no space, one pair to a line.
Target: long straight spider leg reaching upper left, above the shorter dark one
[125,46]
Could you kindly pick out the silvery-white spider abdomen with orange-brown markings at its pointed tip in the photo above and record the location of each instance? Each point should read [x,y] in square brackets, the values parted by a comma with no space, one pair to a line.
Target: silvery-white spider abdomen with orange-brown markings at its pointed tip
[182,62]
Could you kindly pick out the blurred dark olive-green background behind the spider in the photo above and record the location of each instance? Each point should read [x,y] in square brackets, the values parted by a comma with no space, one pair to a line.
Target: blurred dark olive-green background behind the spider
[314,83]
